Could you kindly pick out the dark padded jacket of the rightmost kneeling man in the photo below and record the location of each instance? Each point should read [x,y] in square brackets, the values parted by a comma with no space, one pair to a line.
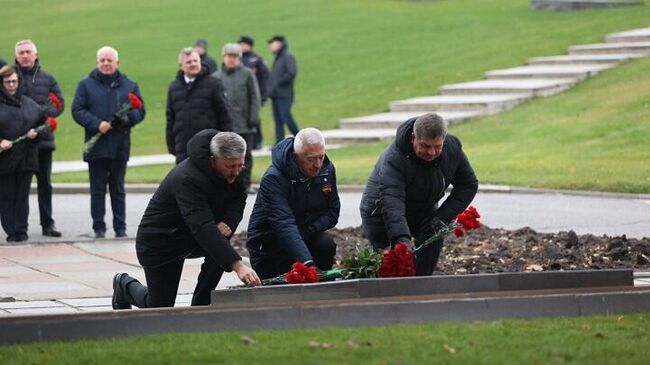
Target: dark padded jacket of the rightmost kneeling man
[403,189]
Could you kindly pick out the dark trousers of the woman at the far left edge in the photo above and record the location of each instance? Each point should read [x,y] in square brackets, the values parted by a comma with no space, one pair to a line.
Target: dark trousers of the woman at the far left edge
[14,202]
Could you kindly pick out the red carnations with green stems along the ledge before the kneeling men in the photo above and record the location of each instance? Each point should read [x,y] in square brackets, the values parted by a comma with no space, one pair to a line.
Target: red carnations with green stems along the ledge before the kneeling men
[397,261]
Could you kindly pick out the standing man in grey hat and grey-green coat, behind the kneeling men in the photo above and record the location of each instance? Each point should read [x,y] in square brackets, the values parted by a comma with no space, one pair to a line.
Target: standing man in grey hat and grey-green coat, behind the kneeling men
[243,97]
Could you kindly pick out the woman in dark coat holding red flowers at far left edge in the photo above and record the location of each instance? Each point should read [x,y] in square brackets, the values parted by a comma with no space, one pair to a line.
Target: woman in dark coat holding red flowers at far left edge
[19,115]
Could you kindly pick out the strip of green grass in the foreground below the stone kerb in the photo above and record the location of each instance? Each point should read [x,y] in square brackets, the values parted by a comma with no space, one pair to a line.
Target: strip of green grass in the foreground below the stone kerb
[582,340]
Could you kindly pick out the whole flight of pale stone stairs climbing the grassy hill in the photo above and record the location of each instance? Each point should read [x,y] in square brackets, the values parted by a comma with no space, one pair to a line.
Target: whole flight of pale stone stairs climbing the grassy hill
[501,90]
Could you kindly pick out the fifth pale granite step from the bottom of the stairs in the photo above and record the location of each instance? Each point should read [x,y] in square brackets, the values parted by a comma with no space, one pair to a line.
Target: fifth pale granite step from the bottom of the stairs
[547,72]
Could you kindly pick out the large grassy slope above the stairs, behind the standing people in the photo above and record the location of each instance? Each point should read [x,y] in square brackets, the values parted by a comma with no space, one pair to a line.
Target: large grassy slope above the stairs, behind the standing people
[354,56]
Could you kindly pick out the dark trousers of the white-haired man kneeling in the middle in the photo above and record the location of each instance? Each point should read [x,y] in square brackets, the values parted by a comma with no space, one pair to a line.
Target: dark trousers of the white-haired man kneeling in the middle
[269,264]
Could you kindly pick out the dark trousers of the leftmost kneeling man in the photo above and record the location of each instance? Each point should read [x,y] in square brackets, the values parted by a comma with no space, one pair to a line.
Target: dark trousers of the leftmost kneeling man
[162,285]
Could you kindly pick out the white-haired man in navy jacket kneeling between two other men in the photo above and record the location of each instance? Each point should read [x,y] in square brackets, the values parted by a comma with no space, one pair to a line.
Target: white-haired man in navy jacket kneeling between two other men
[297,202]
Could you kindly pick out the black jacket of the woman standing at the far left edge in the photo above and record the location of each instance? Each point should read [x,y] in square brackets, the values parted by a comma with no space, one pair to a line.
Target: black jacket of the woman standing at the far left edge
[18,114]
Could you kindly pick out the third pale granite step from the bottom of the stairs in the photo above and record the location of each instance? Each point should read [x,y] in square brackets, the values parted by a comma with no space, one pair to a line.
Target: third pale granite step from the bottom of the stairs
[485,104]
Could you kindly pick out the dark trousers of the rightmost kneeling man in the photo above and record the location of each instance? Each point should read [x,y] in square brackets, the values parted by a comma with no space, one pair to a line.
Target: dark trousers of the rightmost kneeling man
[425,261]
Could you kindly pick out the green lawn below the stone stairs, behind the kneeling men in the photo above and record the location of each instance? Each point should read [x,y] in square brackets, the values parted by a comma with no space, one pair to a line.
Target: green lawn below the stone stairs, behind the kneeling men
[593,137]
